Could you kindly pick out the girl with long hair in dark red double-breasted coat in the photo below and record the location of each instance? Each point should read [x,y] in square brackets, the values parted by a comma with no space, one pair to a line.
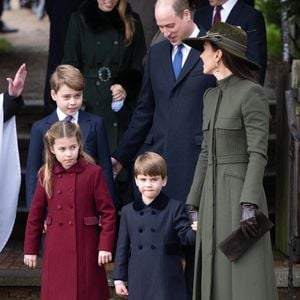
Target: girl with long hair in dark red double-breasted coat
[71,197]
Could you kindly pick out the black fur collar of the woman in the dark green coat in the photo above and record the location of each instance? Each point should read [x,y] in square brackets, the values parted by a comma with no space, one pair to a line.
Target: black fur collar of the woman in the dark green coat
[97,20]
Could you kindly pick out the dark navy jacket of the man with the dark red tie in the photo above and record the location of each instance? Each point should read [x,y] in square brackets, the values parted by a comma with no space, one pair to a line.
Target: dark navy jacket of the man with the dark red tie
[252,21]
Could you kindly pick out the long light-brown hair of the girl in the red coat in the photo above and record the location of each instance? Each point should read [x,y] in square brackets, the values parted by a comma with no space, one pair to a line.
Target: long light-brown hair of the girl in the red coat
[59,130]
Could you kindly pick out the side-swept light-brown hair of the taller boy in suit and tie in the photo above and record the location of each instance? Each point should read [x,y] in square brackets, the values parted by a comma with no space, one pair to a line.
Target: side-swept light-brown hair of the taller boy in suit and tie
[67,75]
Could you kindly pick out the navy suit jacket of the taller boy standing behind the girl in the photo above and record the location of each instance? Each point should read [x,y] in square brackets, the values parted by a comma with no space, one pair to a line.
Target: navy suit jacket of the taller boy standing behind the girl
[94,140]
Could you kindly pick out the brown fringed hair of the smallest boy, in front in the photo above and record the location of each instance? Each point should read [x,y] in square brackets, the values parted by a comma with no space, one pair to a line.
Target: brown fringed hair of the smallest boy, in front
[151,164]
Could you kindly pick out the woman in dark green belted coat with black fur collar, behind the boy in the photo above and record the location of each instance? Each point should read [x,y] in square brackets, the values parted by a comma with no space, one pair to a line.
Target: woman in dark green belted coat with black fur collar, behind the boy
[106,42]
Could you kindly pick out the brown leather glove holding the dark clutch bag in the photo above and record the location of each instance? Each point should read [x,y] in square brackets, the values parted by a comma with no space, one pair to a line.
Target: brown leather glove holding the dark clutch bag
[248,220]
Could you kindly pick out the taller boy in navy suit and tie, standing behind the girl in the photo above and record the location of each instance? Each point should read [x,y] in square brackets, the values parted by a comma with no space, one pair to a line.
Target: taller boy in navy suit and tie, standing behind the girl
[67,85]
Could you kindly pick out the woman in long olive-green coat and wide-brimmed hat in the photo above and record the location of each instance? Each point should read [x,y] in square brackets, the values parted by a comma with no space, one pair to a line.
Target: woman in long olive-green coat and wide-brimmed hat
[228,182]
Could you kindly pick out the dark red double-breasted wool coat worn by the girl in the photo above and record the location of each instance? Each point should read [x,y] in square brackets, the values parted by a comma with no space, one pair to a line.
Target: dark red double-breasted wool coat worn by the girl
[70,268]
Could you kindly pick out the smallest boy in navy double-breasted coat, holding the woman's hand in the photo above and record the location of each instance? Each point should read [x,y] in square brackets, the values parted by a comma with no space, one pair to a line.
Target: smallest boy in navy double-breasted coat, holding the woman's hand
[151,232]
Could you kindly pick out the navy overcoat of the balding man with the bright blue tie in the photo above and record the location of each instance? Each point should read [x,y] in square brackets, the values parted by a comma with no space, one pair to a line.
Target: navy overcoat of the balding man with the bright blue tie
[168,117]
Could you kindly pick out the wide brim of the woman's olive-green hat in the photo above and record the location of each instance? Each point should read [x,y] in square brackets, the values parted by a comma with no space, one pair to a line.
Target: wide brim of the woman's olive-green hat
[198,42]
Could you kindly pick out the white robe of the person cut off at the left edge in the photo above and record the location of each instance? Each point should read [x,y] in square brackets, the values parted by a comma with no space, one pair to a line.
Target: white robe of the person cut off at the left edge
[10,176]
